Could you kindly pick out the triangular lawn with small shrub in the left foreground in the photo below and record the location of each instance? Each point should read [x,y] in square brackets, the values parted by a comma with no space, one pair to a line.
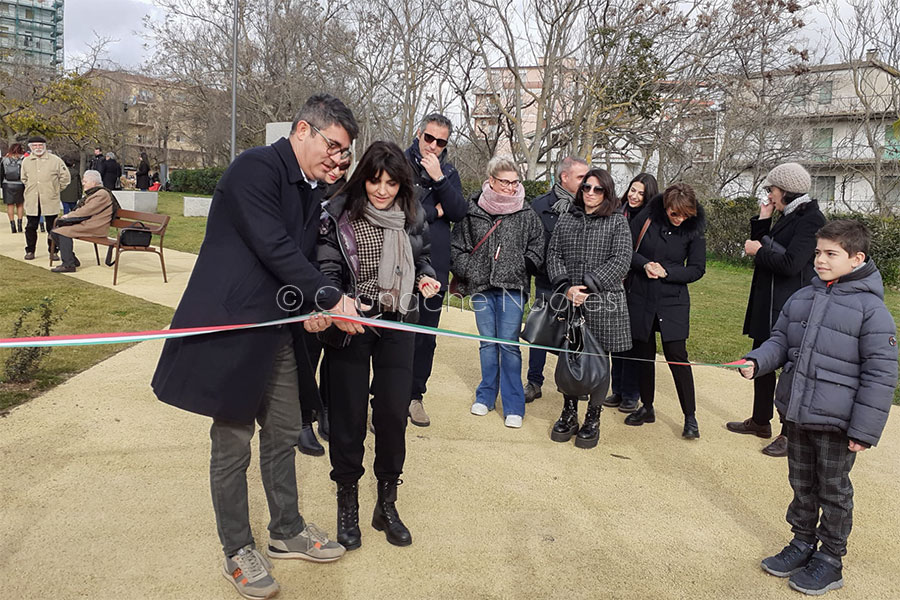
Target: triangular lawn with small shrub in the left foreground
[90,309]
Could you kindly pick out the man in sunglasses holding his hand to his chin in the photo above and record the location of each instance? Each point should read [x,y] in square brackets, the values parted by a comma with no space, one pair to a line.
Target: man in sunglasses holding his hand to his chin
[440,192]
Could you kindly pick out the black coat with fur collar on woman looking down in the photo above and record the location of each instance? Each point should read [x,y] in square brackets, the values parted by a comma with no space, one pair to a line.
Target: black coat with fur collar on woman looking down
[682,252]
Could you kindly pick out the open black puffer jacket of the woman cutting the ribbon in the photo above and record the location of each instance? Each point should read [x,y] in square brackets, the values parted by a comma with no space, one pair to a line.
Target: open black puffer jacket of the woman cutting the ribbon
[337,254]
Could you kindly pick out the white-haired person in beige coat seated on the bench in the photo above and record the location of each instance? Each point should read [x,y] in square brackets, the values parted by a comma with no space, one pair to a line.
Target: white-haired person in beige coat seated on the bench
[91,218]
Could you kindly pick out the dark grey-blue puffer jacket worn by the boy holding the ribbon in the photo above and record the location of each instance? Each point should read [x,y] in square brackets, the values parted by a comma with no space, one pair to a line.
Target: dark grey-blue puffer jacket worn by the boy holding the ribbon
[837,344]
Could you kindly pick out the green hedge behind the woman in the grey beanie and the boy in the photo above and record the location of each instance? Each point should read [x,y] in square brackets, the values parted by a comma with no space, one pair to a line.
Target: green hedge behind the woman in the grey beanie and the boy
[728,225]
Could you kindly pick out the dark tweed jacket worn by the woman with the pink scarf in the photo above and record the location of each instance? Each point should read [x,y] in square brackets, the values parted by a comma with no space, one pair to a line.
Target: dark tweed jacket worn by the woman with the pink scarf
[505,260]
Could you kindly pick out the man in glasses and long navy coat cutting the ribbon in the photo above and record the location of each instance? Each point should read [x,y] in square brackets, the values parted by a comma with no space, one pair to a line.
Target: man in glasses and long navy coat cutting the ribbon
[255,266]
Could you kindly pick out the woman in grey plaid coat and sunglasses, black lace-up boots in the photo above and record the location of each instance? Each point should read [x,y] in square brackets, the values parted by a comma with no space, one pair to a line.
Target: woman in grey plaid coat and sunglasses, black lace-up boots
[588,257]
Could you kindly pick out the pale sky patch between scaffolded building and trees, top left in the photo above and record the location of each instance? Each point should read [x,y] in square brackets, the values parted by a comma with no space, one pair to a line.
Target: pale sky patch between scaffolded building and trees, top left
[121,20]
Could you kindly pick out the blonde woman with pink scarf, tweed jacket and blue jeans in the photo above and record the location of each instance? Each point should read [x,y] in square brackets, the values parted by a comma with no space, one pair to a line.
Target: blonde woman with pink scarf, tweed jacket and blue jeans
[494,250]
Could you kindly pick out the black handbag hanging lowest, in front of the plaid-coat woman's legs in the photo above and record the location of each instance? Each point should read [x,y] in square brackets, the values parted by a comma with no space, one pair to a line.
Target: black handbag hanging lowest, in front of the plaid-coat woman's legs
[584,368]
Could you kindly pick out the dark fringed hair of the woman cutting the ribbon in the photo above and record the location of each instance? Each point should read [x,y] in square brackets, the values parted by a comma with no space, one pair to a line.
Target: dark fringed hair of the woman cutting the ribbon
[379,158]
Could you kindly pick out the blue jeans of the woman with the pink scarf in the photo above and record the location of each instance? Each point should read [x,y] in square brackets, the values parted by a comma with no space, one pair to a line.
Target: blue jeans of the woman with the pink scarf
[498,314]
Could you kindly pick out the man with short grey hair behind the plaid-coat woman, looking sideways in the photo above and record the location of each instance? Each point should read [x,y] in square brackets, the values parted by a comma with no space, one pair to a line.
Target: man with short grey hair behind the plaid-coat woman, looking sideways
[549,207]
